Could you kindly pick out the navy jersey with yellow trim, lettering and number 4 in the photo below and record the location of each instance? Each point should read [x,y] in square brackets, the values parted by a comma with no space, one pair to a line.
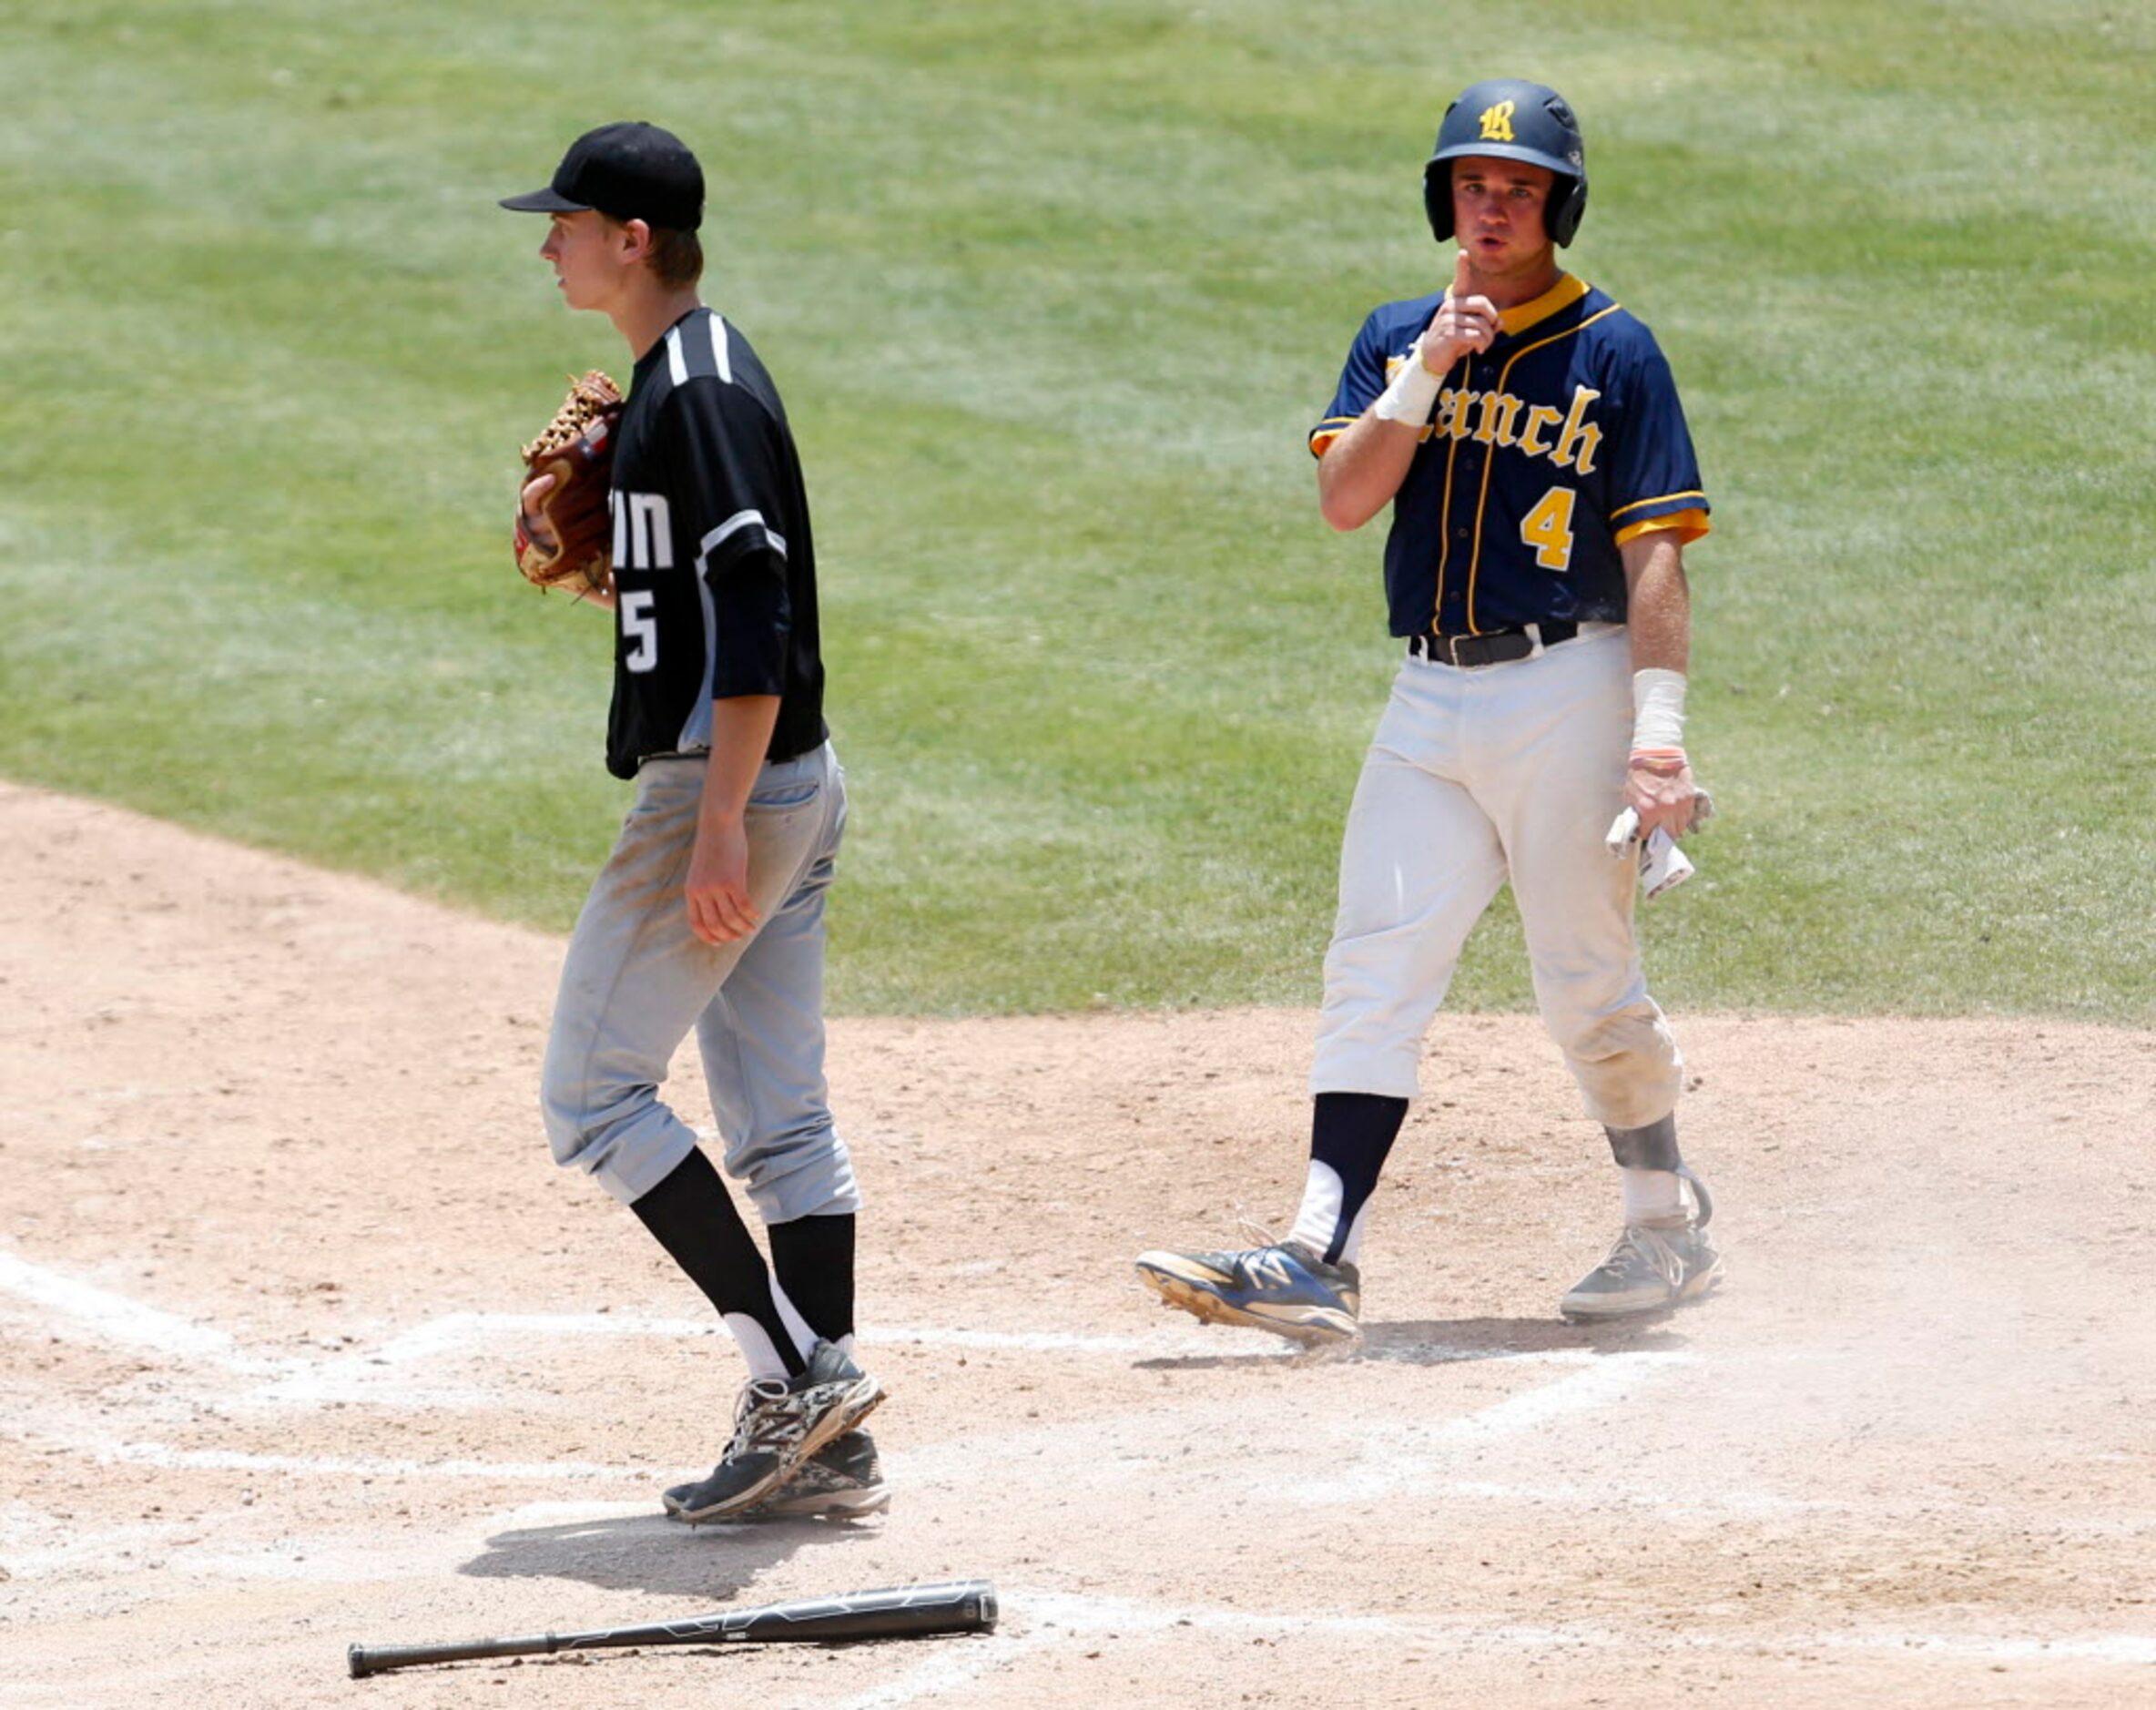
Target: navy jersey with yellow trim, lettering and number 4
[1545,454]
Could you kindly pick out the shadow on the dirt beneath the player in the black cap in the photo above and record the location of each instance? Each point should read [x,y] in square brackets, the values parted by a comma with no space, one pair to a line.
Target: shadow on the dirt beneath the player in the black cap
[652,1554]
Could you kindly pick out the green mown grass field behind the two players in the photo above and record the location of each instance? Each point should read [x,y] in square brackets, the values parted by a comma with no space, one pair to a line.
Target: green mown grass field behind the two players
[1055,292]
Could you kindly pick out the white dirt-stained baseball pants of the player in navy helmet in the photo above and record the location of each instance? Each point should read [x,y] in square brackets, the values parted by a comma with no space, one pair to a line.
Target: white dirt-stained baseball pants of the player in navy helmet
[1508,771]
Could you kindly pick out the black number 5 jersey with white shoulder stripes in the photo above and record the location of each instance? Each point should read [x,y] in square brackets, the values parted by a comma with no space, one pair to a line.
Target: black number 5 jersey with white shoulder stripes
[715,566]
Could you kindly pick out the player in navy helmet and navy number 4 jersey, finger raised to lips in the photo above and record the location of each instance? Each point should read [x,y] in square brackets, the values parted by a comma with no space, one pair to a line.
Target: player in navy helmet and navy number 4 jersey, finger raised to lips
[1528,435]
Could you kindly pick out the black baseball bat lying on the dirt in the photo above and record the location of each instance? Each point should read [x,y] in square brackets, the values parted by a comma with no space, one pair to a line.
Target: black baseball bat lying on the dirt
[907,1612]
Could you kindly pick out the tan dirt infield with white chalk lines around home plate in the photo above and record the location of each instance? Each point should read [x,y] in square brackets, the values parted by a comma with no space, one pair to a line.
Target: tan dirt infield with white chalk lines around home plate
[305,1342]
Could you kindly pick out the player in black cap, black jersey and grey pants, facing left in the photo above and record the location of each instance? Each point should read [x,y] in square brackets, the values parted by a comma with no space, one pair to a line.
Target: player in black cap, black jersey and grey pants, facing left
[710,913]
